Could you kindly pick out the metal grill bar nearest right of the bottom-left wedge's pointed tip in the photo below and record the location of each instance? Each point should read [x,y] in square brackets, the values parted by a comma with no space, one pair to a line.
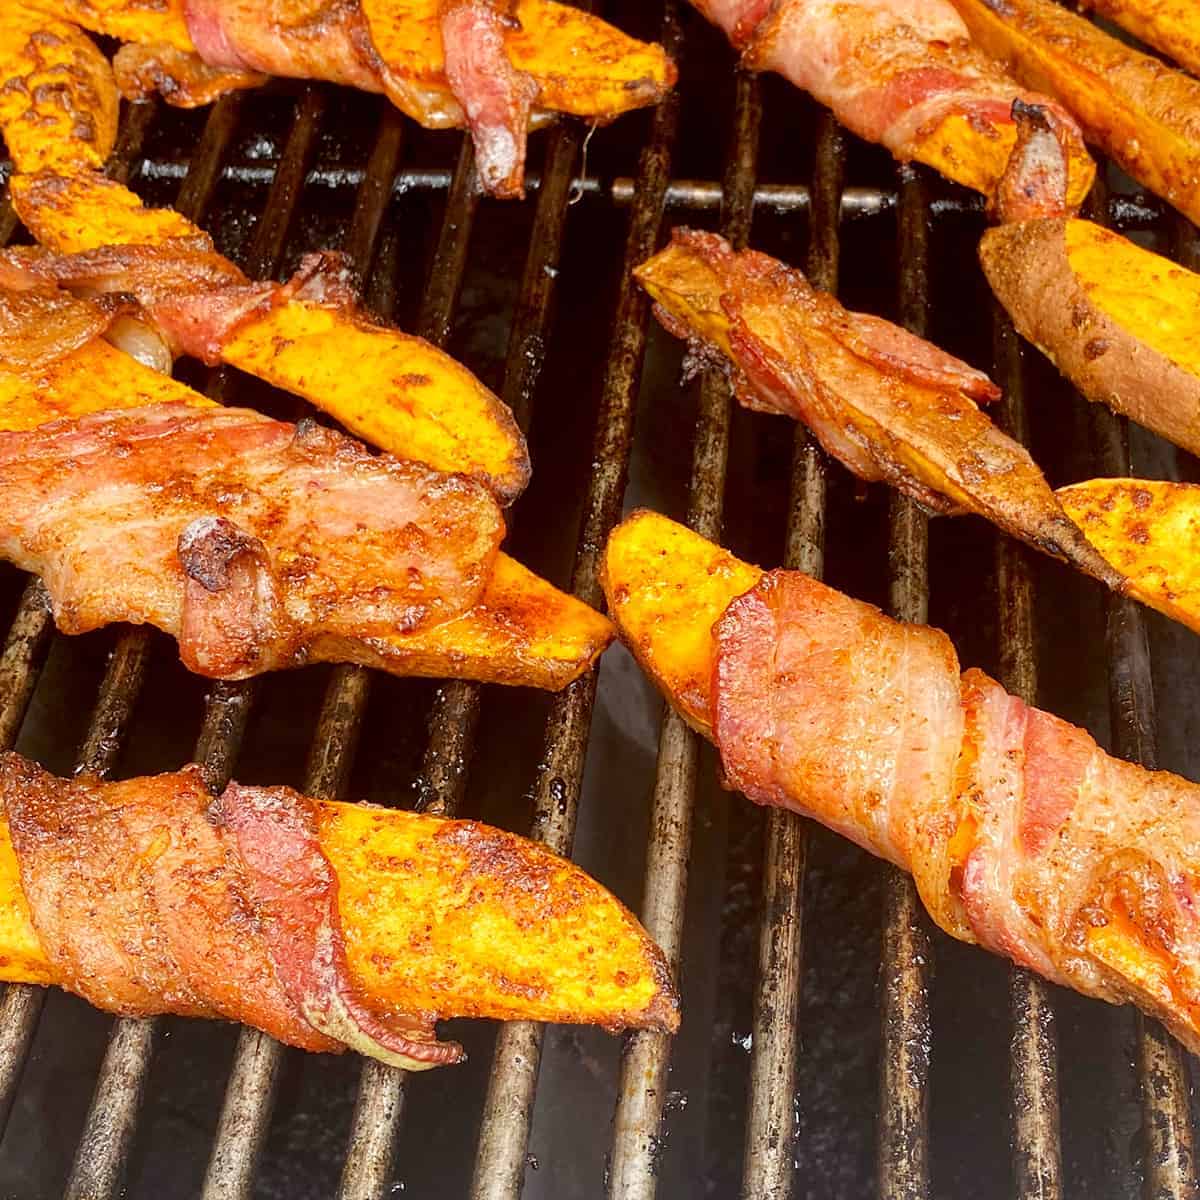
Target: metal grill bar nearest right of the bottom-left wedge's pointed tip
[770,1166]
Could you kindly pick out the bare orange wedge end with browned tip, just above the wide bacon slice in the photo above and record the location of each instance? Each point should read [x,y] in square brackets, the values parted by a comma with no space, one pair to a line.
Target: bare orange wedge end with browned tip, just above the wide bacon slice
[397,392]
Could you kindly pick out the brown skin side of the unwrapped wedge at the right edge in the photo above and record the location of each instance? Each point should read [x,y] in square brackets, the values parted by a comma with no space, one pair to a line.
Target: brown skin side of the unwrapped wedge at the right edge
[1028,268]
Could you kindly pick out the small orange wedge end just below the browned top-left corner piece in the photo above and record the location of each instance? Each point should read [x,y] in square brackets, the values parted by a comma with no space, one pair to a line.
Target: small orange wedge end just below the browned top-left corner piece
[86,211]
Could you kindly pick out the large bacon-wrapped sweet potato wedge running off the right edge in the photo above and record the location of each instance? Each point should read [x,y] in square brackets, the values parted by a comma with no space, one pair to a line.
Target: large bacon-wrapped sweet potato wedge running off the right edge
[1022,835]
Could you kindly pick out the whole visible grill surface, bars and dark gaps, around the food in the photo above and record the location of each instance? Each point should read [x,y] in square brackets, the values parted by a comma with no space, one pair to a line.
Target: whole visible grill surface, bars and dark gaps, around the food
[896,1060]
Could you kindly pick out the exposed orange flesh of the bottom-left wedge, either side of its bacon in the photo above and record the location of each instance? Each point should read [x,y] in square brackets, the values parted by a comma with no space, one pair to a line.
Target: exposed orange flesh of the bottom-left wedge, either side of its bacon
[455,919]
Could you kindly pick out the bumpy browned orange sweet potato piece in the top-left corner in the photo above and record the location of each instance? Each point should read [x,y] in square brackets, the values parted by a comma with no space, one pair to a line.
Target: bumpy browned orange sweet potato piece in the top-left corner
[58,100]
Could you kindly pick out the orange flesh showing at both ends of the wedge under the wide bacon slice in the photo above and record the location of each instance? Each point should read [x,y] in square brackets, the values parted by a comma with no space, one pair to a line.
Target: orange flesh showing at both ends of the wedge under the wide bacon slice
[524,632]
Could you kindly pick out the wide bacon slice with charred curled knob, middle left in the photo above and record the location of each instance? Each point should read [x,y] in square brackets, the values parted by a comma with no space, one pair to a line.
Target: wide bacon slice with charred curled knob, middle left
[256,543]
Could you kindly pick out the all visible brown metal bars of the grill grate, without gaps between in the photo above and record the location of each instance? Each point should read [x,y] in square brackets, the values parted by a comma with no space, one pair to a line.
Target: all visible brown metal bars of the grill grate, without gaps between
[766,1088]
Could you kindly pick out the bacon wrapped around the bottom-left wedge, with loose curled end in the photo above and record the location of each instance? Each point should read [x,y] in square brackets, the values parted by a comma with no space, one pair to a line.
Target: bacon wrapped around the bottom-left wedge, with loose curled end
[152,897]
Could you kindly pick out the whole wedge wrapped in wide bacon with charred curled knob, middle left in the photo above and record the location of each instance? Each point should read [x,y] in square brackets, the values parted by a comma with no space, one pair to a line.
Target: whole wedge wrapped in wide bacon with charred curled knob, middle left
[509,627]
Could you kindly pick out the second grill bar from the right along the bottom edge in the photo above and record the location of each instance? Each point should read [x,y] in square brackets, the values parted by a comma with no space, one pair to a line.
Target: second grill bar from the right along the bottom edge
[1034,1069]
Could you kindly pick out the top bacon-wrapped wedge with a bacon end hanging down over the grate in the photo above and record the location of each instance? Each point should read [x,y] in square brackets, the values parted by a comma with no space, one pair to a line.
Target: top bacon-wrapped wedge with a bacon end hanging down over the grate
[495,67]
